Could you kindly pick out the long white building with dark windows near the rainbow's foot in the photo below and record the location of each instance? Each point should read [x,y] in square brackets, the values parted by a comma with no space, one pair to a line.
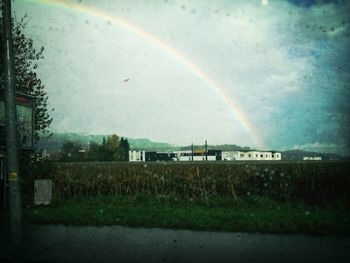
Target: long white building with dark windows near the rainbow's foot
[250,156]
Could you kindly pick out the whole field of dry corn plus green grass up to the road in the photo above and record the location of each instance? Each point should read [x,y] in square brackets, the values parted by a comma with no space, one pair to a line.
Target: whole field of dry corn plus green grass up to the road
[270,197]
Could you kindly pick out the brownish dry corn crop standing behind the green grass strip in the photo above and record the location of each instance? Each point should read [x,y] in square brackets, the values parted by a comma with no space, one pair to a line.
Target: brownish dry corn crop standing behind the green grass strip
[311,182]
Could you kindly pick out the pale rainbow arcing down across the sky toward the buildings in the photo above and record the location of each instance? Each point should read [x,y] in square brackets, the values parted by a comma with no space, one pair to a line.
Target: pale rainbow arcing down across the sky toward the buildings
[165,47]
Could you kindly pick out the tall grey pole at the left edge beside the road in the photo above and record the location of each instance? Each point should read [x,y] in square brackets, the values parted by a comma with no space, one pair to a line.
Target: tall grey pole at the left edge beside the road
[15,205]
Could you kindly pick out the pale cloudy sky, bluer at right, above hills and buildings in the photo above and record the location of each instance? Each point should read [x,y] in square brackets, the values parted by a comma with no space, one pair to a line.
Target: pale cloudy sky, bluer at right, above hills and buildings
[271,74]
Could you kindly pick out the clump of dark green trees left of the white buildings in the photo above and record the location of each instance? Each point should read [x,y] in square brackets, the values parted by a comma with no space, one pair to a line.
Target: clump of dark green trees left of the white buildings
[111,149]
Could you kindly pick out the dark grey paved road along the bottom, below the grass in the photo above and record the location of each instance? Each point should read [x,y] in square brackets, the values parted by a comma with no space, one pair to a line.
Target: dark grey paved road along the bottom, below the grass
[123,244]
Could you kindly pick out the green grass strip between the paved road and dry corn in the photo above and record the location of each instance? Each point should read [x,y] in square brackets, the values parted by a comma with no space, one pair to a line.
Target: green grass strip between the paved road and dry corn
[220,214]
